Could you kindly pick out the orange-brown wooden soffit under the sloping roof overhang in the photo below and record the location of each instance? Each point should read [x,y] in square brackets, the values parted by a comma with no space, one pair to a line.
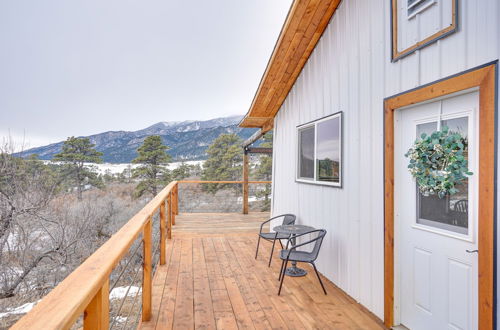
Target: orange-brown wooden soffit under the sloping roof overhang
[304,25]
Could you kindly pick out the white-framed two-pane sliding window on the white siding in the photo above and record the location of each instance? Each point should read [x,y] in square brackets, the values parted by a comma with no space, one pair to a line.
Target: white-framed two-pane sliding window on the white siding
[320,151]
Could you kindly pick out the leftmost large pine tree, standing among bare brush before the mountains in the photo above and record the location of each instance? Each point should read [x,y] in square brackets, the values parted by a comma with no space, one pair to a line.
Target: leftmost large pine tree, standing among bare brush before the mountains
[75,153]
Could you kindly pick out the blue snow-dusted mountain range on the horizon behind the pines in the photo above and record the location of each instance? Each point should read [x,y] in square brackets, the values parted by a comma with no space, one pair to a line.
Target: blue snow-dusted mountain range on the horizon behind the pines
[187,140]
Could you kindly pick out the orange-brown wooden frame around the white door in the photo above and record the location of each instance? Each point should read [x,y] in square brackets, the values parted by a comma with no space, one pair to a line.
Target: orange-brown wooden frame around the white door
[483,77]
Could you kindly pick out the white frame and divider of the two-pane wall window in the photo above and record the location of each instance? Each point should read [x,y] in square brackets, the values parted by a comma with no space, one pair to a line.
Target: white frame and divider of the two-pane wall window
[314,123]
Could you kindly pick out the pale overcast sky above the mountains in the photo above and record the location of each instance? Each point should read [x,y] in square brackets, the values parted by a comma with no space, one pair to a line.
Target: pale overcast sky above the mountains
[82,67]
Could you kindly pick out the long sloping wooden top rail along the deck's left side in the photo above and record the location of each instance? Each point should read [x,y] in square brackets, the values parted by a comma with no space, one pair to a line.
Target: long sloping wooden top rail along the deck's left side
[67,301]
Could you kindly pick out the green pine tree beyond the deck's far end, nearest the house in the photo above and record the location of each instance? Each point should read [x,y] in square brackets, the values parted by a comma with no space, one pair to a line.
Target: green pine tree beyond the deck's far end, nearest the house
[224,163]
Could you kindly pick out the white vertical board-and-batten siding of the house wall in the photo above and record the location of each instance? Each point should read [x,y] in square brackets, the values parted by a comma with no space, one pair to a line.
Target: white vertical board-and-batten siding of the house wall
[351,71]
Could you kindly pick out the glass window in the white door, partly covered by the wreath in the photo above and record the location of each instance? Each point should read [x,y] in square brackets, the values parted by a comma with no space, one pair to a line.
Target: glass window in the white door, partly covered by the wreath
[450,212]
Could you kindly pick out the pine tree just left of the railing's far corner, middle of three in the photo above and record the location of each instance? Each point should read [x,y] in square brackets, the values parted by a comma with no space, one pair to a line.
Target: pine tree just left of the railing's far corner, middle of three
[153,156]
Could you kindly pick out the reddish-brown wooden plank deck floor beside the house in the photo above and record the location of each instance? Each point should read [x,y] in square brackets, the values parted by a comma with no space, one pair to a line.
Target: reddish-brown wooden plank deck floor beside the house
[212,281]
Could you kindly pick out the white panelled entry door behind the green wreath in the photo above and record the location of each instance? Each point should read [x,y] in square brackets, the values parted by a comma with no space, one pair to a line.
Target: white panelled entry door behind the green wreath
[436,277]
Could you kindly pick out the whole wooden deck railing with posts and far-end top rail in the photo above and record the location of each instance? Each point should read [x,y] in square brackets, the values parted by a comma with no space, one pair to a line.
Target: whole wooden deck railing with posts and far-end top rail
[86,290]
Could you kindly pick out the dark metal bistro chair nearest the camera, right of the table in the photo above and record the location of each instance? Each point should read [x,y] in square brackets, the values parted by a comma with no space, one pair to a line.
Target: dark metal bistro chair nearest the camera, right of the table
[291,254]
